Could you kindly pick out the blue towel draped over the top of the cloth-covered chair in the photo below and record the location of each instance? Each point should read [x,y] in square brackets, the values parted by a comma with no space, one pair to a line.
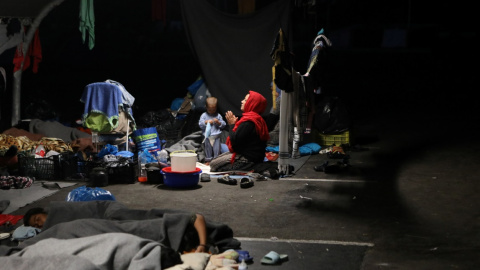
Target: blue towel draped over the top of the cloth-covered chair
[102,97]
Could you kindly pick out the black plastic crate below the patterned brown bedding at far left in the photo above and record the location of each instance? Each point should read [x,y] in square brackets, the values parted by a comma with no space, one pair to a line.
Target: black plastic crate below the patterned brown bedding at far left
[56,167]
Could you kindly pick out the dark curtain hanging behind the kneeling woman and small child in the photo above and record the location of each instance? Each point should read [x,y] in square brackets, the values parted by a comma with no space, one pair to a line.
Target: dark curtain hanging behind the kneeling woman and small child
[234,50]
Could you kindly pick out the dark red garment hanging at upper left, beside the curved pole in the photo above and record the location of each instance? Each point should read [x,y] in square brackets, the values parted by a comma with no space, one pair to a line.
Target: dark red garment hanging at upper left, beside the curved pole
[35,51]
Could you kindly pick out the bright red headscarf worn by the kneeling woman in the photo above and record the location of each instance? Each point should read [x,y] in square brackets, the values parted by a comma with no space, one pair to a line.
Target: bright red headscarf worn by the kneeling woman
[252,110]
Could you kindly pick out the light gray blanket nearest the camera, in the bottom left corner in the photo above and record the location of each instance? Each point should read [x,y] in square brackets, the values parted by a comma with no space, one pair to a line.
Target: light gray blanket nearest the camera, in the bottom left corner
[105,251]
